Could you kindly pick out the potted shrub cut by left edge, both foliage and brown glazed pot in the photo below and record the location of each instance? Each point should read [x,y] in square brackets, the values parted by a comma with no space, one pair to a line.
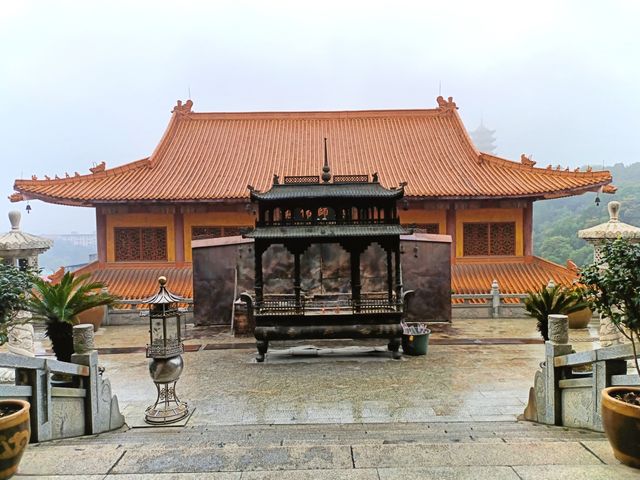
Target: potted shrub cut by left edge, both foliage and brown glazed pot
[14,414]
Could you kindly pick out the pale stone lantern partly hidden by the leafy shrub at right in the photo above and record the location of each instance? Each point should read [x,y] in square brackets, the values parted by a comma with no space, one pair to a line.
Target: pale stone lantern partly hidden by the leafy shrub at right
[598,236]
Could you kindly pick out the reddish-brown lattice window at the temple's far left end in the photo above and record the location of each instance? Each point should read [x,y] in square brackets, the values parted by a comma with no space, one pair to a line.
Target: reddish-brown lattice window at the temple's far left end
[140,243]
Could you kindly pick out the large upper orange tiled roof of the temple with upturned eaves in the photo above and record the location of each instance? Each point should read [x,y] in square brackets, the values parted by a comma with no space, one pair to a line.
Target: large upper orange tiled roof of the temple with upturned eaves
[209,156]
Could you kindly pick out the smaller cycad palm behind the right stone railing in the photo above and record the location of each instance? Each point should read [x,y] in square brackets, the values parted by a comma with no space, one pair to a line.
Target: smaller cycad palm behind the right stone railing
[553,300]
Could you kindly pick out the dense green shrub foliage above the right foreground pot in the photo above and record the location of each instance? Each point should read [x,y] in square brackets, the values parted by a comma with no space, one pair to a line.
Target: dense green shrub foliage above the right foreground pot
[613,286]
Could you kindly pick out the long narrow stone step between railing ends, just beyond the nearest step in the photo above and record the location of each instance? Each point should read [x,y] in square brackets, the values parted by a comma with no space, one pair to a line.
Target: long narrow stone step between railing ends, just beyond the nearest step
[352,434]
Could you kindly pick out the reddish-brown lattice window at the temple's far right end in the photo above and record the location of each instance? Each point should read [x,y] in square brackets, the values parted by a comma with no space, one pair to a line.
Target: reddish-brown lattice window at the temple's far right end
[489,239]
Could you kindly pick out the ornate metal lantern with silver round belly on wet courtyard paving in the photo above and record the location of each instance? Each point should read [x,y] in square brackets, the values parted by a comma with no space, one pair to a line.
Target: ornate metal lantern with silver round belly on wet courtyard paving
[165,350]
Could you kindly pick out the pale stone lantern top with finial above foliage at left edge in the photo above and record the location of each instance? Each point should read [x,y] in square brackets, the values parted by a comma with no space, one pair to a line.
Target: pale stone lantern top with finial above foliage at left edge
[20,248]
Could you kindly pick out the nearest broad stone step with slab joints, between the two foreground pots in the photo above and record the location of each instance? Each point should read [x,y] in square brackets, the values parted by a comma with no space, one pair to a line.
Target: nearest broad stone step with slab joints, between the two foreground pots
[96,459]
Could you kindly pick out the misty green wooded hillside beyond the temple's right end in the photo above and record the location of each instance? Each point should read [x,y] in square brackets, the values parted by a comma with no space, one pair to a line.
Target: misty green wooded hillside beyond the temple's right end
[556,222]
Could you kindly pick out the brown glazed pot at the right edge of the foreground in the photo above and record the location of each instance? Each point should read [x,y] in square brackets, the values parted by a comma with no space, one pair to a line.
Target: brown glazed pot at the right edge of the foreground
[621,422]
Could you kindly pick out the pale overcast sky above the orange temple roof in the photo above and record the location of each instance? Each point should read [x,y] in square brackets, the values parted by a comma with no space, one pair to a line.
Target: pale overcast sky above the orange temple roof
[82,82]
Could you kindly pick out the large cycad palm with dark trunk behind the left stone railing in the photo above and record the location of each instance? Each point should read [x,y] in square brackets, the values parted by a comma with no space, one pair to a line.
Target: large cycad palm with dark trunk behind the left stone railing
[59,303]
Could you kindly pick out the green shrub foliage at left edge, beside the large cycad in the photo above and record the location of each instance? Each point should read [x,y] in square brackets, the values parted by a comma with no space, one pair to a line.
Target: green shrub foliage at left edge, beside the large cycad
[14,287]
